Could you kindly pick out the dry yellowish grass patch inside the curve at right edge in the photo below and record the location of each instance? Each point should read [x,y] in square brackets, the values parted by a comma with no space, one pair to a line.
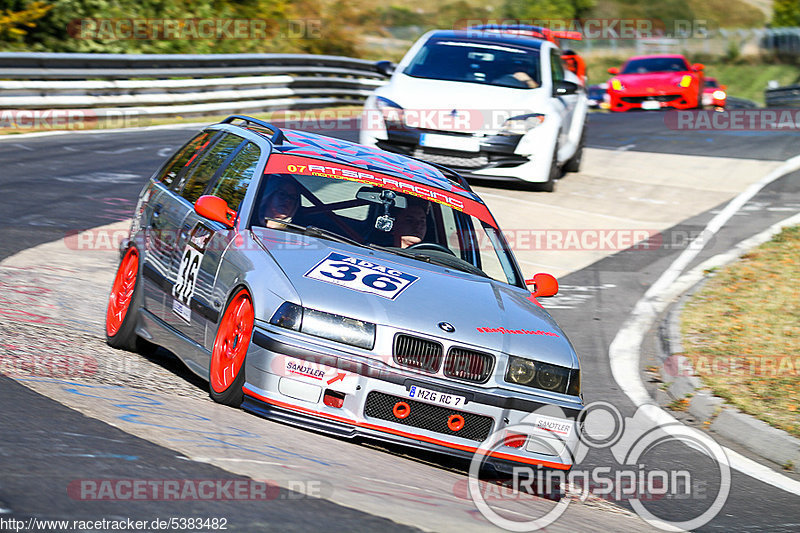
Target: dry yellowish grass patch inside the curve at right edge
[742,332]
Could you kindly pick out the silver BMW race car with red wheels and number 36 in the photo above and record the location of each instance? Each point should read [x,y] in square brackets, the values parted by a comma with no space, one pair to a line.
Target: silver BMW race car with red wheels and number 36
[348,290]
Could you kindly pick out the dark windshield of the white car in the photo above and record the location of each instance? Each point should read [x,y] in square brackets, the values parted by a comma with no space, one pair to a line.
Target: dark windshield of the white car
[475,62]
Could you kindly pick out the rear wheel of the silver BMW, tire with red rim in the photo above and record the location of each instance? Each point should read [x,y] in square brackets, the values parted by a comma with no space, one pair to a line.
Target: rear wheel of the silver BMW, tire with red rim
[122,335]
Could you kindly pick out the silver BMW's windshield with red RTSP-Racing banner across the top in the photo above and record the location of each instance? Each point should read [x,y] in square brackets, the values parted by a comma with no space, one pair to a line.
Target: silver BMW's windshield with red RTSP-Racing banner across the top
[345,204]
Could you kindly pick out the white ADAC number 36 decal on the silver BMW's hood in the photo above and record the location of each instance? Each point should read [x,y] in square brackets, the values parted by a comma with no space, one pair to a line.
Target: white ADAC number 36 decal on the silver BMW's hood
[361,275]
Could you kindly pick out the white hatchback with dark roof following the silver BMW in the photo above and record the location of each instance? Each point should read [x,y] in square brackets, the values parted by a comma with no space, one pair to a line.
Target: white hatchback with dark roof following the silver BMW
[485,103]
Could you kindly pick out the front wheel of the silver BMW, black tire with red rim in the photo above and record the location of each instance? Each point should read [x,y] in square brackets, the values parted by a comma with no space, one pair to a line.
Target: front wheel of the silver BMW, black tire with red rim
[223,386]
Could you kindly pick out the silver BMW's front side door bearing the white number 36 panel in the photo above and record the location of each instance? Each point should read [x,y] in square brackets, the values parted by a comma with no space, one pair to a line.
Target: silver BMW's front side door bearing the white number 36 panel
[200,243]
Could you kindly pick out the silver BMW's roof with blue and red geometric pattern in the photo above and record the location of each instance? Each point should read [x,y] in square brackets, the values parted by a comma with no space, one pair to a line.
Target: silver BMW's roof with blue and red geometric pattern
[307,144]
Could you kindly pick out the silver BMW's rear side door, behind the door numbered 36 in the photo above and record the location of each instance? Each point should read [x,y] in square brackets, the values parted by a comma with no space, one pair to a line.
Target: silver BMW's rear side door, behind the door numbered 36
[162,217]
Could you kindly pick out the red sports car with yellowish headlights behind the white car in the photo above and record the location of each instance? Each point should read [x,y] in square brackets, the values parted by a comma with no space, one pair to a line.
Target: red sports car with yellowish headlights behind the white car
[656,81]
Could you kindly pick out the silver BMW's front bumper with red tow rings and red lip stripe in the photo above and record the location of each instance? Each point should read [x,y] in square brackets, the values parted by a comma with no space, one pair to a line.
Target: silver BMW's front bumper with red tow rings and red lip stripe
[370,387]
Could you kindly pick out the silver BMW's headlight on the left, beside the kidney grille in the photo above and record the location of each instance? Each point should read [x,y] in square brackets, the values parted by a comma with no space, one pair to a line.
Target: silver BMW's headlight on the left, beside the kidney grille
[326,325]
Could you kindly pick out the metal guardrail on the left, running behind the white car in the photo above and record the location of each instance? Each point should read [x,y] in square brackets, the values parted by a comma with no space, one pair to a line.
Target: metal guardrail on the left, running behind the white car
[173,84]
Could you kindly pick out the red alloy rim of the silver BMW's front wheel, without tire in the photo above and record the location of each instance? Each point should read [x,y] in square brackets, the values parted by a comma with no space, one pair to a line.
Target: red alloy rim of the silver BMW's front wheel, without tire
[233,339]
